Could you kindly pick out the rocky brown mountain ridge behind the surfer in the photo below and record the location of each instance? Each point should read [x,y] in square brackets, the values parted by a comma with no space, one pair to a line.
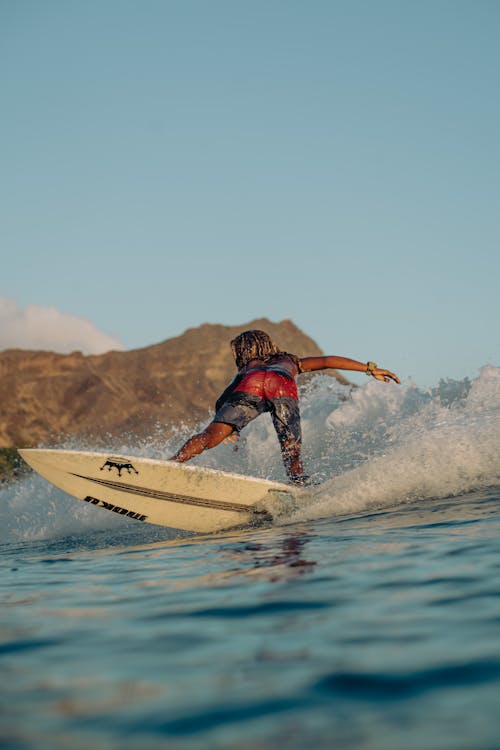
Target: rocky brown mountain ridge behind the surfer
[45,397]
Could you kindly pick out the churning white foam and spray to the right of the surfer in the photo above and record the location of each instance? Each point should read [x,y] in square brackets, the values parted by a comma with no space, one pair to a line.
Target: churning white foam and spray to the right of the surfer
[410,445]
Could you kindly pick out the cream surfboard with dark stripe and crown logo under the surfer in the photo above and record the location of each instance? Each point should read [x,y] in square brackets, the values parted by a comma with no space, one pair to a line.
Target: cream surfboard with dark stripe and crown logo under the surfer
[165,493]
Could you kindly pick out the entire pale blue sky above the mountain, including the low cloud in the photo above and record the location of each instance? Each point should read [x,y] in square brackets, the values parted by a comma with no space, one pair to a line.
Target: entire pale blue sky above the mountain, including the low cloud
[166,163]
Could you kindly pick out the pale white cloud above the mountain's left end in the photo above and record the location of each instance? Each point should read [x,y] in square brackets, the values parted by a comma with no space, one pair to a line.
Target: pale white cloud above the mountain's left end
[37,327]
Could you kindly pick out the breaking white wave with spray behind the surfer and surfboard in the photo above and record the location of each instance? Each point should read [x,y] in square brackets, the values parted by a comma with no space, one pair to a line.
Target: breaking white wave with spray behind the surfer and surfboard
[375,446]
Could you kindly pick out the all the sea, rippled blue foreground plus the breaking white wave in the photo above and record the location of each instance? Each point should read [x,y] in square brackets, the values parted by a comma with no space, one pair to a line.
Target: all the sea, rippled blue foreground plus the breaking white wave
[368,618]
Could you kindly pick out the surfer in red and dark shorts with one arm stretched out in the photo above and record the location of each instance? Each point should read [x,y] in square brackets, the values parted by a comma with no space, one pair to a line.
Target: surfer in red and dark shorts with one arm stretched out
[265,382]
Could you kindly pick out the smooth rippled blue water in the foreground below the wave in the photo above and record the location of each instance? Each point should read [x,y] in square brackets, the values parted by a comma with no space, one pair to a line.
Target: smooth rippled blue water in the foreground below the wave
[374,632]
